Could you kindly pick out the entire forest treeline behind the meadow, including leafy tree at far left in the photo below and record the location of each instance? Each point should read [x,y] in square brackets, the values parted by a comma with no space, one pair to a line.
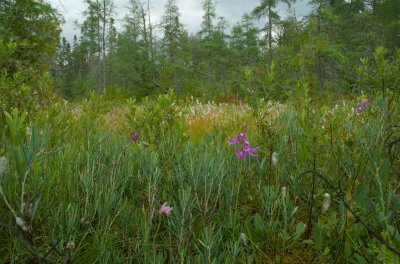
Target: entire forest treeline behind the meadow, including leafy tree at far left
[325,49]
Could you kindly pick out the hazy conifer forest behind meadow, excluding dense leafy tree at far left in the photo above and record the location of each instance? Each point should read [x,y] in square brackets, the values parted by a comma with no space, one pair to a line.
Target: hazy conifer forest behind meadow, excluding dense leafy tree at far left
[322,49]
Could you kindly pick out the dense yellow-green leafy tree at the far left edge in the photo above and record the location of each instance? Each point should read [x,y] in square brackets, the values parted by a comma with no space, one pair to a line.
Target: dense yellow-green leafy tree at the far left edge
[27,43]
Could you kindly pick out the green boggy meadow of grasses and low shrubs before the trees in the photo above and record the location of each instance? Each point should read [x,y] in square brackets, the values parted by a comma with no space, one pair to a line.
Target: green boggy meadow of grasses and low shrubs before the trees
[322,188]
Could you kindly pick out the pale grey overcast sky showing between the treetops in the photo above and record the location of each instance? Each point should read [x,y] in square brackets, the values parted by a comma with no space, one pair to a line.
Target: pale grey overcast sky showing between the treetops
[191,12]
